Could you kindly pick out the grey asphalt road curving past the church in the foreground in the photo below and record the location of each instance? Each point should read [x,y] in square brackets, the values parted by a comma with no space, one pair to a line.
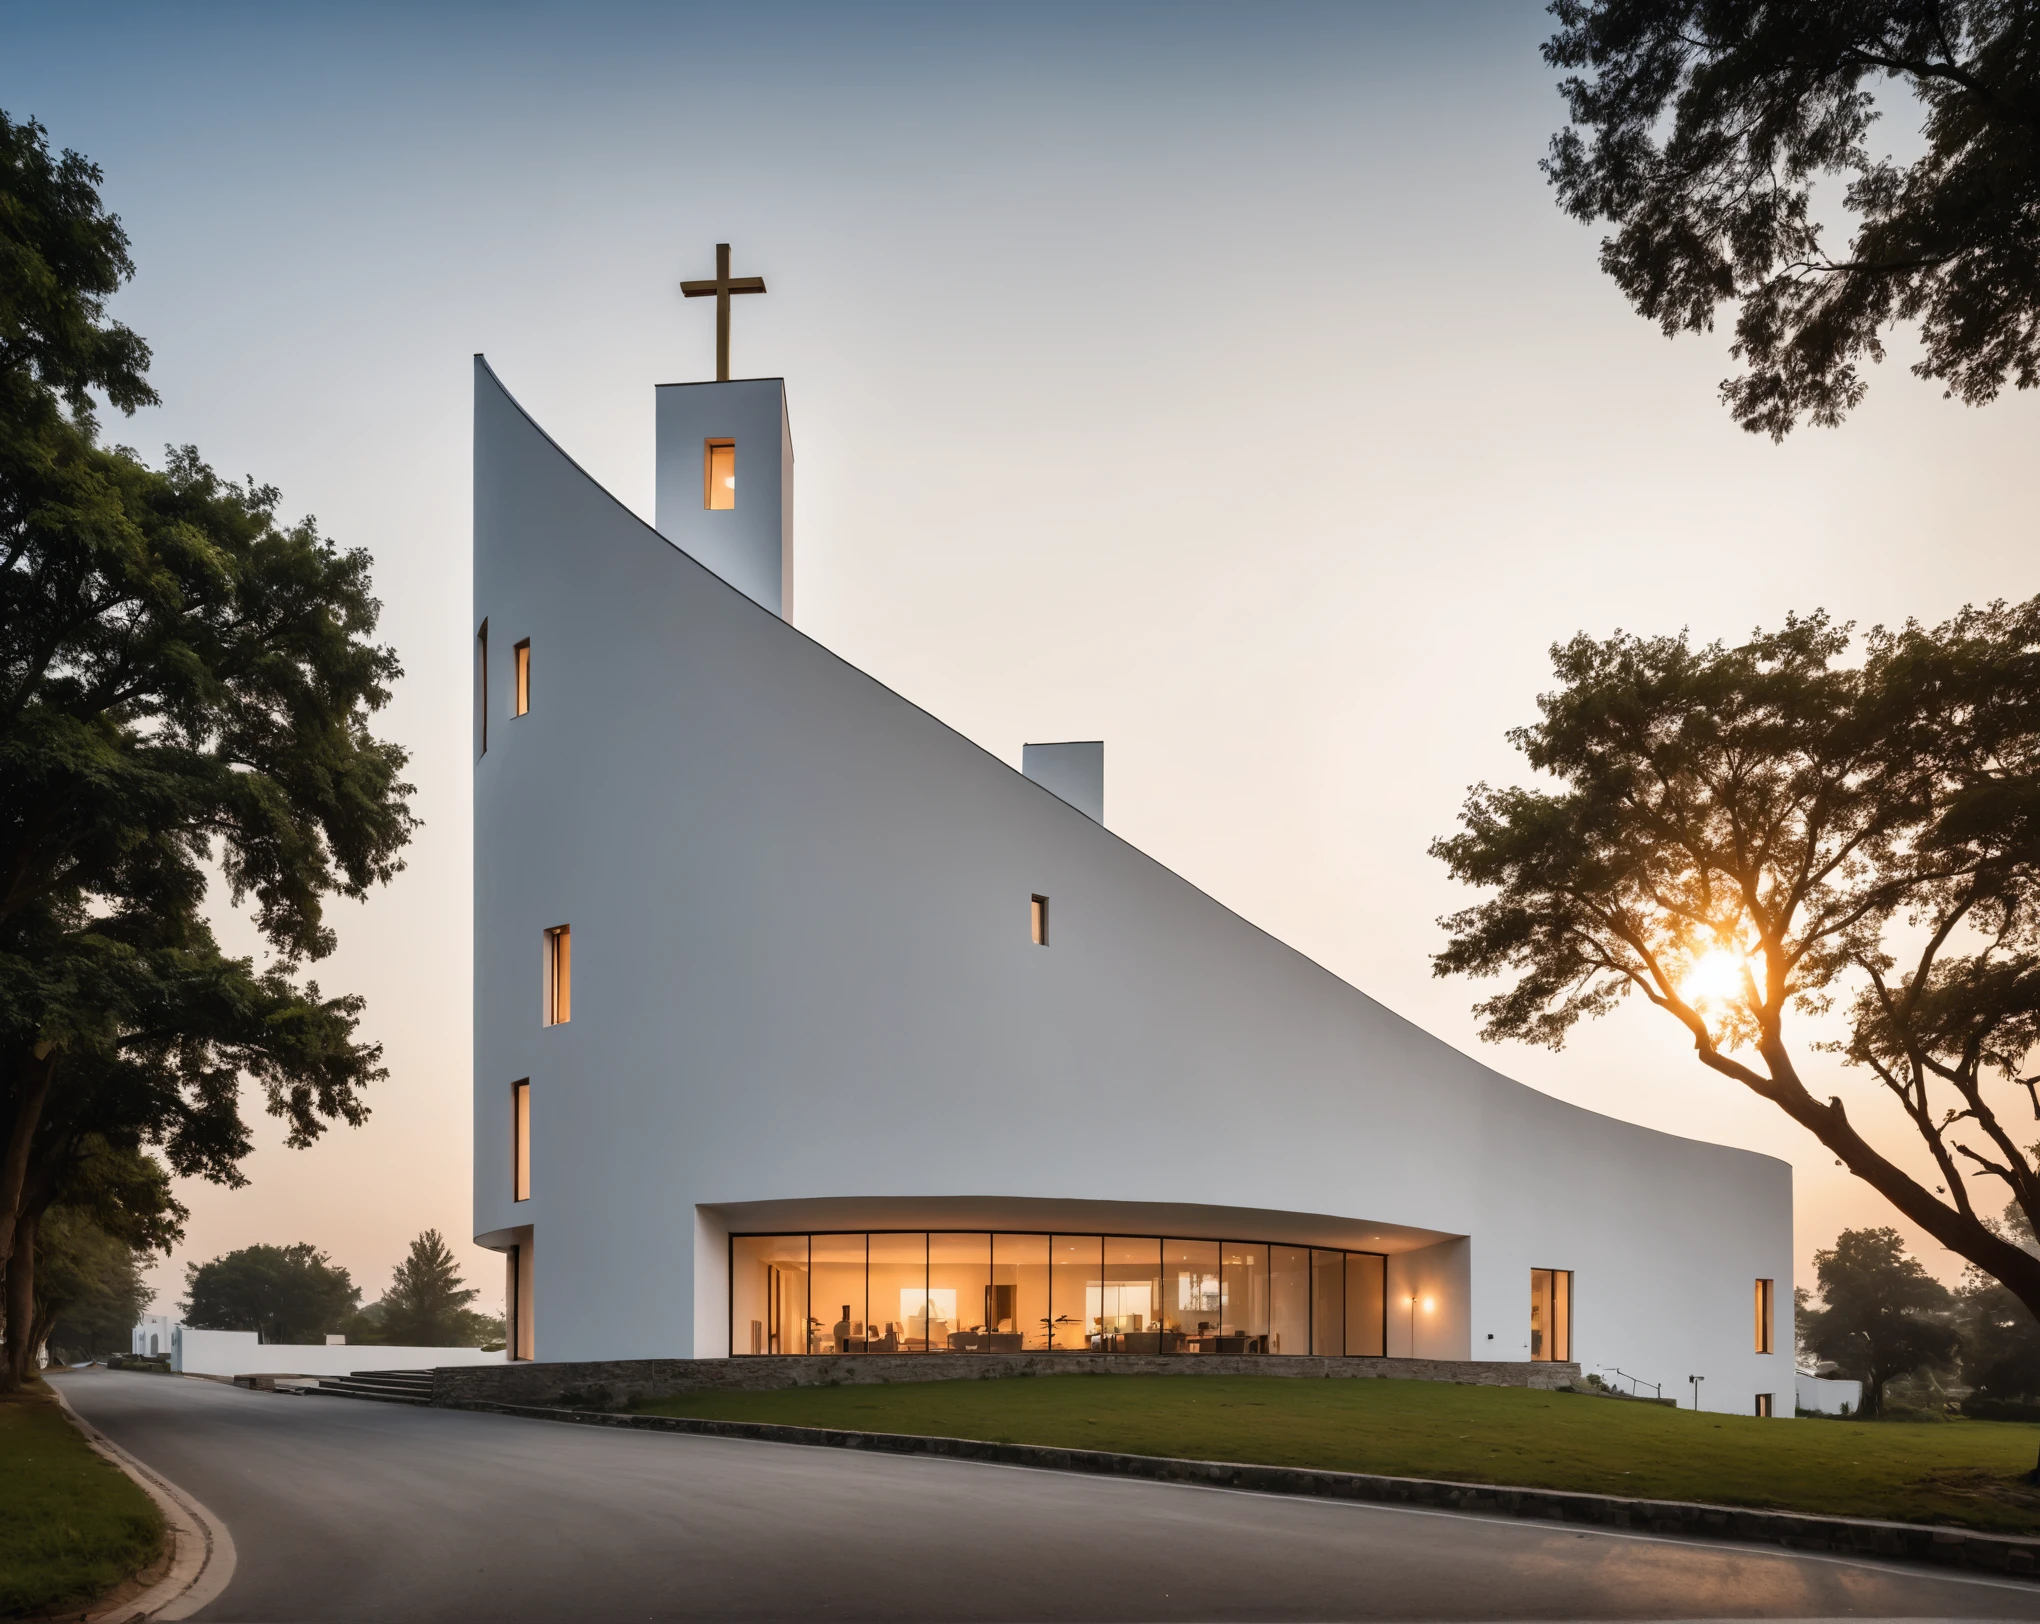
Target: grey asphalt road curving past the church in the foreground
[348,1511]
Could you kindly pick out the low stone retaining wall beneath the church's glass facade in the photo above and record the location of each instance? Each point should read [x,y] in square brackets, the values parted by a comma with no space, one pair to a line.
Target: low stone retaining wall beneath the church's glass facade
[621,1382]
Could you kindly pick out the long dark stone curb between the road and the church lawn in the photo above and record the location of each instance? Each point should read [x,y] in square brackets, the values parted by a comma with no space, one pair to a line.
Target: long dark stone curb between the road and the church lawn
[1794,1531]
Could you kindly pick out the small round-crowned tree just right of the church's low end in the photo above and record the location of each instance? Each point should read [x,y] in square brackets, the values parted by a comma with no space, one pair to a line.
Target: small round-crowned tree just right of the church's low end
[1880,1317]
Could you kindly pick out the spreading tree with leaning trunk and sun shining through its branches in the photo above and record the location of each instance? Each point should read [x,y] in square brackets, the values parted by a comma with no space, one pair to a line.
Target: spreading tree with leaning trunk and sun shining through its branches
[1743,835]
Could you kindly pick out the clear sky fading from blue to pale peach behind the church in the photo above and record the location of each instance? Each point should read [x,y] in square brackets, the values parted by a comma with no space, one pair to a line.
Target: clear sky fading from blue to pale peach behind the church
[1219,383]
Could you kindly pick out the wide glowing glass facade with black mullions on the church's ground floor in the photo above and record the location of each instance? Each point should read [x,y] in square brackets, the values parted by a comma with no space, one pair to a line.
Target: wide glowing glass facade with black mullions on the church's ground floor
[976,1292]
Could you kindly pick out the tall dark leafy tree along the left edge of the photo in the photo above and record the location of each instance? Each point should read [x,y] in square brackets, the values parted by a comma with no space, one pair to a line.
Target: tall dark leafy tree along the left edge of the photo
[185,687]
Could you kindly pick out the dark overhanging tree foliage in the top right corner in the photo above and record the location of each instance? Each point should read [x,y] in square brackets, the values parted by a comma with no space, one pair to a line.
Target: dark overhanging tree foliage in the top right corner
[1700,128]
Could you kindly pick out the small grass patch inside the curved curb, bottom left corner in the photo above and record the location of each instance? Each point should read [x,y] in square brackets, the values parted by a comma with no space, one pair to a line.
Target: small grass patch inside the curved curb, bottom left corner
[72,1525]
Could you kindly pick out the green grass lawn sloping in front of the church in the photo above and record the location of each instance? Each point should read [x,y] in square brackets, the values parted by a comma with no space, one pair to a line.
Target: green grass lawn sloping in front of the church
[1917,1472]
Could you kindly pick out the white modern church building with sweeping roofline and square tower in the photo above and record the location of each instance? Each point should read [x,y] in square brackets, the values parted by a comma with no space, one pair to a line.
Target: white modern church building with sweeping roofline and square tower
[807,1025]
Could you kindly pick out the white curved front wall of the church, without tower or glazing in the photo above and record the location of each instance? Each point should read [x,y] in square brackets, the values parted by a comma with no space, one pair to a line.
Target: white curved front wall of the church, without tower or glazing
[803,972]
